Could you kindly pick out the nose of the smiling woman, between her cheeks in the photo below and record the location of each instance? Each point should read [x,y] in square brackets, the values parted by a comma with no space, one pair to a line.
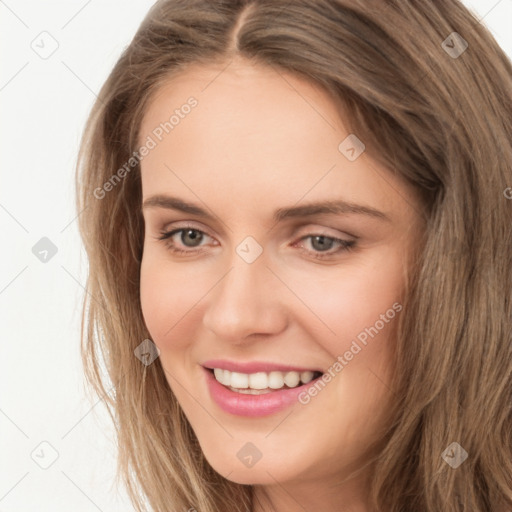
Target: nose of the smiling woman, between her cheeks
[246,301]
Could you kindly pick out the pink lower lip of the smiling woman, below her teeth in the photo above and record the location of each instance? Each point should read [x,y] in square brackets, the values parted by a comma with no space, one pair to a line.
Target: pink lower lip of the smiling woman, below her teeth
[242,404]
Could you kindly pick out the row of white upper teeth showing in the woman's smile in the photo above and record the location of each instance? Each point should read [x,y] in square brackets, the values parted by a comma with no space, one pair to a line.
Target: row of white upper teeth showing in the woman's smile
[262,380]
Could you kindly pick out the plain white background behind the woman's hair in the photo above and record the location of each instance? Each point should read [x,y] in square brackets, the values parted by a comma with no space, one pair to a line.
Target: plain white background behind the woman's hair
[44,102]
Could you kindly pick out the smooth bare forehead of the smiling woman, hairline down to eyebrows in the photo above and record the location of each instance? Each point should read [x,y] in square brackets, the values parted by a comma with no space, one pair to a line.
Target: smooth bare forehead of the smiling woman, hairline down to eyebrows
[255,134]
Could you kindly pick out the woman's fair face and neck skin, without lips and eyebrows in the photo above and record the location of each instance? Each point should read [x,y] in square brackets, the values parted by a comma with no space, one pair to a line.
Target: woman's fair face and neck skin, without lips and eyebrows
[257,141]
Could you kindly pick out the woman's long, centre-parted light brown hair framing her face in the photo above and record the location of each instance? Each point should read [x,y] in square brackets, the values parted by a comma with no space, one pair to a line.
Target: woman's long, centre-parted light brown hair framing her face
[430,92]
